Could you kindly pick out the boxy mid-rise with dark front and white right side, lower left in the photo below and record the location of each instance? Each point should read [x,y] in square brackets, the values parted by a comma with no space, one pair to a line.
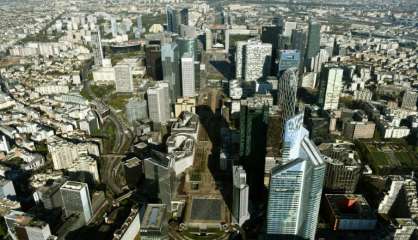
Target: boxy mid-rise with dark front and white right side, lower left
[76,200]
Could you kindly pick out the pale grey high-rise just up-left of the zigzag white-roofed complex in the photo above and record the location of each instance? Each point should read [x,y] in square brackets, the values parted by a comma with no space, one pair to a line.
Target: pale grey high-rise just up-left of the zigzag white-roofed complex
[158,102]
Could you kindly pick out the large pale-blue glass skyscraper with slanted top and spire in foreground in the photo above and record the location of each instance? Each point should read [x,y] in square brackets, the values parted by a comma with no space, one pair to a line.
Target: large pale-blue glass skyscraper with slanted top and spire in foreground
[296,188]
